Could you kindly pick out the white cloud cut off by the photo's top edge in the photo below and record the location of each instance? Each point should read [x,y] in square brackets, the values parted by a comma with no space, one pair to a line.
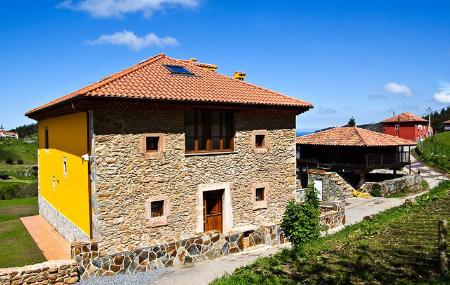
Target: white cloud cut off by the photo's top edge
[117,8]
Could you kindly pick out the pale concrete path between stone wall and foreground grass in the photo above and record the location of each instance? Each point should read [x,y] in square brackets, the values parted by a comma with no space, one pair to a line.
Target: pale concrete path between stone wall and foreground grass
[207,271]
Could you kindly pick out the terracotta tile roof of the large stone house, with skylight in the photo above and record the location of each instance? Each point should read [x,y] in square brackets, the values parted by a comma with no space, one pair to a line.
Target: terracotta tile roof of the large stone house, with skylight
[150,79]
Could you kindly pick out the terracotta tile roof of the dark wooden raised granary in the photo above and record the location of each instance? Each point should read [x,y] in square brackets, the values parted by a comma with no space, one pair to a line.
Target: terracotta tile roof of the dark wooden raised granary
[351,136]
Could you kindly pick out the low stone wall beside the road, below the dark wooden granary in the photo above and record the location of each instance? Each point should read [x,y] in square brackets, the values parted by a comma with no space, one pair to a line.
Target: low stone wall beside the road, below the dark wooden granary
[411,182]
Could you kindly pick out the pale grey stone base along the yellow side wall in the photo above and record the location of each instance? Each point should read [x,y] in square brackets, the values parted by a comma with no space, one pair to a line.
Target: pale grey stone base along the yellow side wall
[66,228]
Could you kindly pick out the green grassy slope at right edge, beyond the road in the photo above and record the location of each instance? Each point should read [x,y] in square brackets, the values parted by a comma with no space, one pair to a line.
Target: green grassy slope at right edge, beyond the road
[435,151]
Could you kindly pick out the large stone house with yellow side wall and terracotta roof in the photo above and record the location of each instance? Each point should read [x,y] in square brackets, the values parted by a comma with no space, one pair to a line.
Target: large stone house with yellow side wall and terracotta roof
[164,150]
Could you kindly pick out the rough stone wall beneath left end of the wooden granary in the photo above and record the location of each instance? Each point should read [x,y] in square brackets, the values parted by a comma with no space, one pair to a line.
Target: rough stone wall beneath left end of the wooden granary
[334,187]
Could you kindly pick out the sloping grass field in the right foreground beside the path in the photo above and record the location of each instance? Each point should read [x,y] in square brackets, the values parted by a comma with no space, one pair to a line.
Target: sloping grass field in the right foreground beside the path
[398,246]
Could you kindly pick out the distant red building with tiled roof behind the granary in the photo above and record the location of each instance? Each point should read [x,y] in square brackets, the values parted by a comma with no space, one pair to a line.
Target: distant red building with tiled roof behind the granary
[407,126]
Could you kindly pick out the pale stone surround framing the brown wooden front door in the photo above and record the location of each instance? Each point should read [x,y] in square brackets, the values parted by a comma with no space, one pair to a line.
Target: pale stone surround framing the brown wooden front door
[227,209]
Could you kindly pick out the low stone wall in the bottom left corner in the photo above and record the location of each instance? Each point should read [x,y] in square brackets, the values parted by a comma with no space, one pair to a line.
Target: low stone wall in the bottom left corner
[50,272]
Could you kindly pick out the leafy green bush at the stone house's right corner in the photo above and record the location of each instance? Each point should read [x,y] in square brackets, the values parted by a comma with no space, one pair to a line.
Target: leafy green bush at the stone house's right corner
[301,221]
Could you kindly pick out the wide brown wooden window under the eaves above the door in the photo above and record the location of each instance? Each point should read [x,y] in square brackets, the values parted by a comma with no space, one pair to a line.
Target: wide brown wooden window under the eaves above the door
[209,130]
